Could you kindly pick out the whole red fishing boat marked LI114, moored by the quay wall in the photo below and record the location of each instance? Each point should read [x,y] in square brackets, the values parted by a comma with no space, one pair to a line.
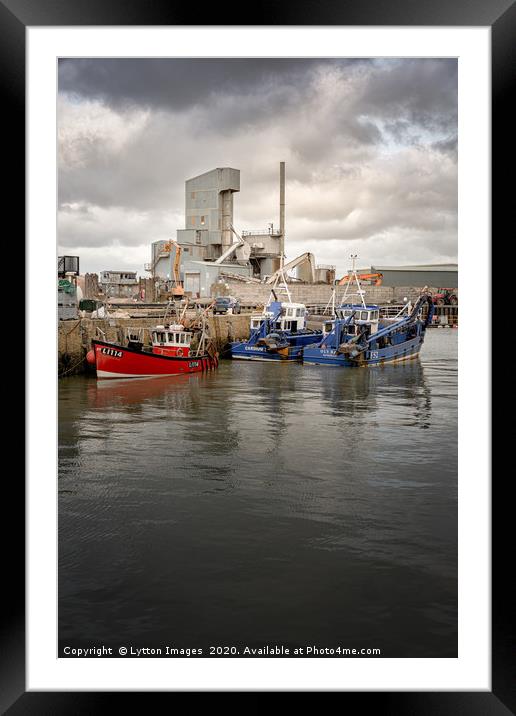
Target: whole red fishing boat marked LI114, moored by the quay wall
[173,351]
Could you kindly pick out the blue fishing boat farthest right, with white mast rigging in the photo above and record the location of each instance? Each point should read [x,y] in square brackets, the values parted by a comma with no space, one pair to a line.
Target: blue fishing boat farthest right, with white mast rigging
[357,335]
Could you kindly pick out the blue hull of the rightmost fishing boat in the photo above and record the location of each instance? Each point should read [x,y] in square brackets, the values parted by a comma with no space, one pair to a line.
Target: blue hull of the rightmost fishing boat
[390,354]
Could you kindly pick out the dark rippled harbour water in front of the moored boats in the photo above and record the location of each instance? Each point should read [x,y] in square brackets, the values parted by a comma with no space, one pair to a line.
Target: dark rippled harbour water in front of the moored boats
[263,504]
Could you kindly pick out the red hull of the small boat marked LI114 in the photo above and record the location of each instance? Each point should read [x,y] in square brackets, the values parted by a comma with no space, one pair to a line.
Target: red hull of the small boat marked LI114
[113,361]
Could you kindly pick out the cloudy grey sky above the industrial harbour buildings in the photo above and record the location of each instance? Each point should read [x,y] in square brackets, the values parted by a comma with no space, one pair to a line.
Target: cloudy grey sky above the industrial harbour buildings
[370,148]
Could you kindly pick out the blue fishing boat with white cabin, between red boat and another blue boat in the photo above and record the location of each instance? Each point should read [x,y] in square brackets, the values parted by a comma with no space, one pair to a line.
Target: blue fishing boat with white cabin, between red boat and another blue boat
[279,333]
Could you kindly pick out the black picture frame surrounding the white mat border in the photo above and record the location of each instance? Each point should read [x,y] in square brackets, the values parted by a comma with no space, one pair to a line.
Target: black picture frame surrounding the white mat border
[500,15]
